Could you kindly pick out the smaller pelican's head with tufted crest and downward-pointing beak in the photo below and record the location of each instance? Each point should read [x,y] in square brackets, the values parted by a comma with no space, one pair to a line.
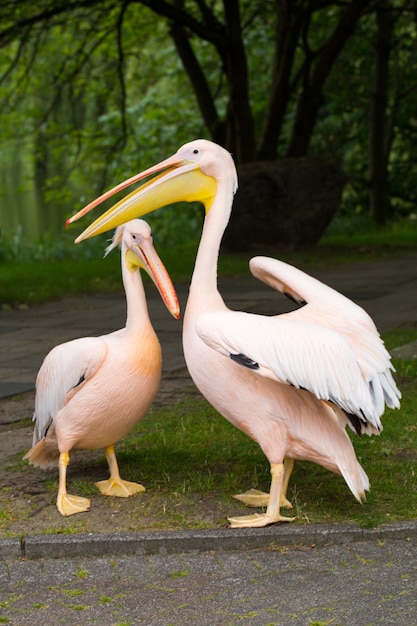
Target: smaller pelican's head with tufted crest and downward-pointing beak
[135,240]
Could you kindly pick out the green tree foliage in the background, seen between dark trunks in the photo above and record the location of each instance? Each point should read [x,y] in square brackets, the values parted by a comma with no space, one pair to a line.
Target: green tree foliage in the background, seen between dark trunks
[99,92]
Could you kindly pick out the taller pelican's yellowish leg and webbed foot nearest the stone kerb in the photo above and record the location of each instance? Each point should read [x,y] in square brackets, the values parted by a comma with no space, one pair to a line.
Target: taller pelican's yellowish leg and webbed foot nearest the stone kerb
[272,514]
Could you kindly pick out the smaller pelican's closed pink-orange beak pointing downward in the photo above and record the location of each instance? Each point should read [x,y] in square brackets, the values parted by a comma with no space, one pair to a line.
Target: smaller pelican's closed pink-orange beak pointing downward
[145,256]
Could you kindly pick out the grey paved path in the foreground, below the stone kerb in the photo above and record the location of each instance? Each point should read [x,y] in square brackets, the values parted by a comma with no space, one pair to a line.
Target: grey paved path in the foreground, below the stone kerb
[362,584]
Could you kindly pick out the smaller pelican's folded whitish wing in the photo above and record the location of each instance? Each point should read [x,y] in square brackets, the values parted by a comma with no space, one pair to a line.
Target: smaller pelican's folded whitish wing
[64,371]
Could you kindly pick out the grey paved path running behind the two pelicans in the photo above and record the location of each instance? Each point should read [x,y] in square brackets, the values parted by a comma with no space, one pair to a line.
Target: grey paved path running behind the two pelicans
[387,289]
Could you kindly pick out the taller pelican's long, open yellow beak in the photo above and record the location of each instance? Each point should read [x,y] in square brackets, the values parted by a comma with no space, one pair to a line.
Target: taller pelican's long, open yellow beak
[176,180]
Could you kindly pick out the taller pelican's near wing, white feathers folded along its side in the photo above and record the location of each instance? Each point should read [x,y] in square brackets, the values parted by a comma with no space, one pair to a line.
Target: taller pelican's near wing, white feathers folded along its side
[298,353]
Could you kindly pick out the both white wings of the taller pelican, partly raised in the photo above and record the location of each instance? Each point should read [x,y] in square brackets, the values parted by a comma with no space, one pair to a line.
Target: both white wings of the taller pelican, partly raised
[329,347]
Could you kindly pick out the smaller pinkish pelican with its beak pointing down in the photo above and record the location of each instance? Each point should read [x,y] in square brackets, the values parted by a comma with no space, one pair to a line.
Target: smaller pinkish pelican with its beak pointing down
[90,392]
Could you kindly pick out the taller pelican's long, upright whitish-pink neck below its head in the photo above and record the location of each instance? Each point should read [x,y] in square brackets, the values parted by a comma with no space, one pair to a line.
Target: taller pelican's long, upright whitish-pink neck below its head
[205,269]
